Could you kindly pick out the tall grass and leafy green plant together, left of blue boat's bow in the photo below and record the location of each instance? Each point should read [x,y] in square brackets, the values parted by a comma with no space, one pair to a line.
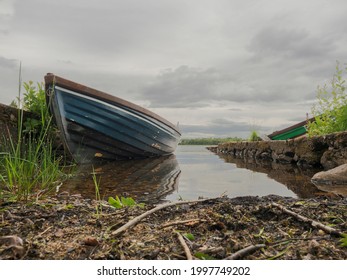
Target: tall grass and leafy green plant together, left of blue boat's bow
[28,164]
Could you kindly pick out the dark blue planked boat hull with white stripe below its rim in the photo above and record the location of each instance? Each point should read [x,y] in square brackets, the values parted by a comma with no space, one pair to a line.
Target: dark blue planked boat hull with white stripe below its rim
[94,127]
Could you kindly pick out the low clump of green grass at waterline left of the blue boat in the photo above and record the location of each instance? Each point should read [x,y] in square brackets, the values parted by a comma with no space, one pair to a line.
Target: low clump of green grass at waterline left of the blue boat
[29,169]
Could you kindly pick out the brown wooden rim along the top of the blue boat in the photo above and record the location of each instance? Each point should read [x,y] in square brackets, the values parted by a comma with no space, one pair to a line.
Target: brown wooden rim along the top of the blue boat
[51,79]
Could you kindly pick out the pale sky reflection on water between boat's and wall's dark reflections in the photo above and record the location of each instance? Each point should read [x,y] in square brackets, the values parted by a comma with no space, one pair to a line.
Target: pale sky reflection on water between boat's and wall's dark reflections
[205,174]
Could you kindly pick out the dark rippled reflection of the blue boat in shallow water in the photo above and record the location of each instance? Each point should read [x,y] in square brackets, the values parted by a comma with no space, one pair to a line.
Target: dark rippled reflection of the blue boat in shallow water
[146,180]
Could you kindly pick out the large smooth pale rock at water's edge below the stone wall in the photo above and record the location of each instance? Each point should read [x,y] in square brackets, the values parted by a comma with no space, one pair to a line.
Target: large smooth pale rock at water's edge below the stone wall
[335,176]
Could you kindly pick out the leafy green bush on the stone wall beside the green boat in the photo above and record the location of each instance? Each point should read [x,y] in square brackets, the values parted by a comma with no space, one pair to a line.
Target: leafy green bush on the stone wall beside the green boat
[330,112]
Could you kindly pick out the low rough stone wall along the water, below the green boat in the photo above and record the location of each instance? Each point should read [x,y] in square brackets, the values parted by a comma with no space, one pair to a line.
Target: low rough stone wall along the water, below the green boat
[327,151]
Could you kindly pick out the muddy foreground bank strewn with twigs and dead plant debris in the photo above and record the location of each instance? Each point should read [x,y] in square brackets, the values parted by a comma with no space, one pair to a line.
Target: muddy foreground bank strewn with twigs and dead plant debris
[69,227]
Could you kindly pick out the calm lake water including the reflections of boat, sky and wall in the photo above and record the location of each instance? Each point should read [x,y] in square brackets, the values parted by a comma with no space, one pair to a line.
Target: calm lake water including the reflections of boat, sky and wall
[191,173]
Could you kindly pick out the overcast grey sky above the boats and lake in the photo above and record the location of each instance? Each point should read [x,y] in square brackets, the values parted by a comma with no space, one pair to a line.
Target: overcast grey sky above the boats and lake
[218,67]
